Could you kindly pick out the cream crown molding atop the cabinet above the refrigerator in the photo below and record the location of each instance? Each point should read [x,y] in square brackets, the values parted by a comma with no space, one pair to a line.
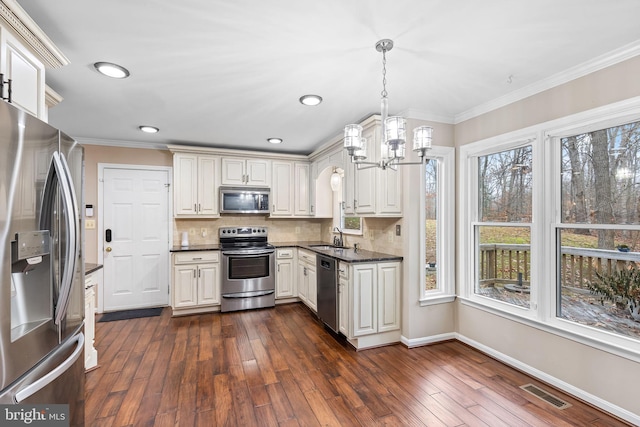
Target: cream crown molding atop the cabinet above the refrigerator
[13,15]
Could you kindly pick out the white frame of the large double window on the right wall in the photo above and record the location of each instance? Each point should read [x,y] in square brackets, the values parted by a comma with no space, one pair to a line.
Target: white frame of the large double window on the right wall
[546,217]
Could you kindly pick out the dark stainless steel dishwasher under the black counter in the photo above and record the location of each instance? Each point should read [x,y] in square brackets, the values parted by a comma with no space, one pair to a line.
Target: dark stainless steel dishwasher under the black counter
[328,291]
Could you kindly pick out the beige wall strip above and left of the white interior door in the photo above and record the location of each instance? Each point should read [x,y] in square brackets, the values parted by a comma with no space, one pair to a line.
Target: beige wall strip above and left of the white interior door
[94,154]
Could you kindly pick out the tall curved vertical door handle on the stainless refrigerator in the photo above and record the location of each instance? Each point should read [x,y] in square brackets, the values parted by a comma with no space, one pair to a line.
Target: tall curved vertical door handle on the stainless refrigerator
[59,171]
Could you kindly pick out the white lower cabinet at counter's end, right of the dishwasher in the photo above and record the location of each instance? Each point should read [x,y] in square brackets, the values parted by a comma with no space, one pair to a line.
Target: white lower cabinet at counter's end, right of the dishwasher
[369,303]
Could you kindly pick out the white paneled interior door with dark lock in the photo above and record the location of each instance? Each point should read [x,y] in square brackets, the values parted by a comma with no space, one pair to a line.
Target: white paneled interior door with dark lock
[135,235]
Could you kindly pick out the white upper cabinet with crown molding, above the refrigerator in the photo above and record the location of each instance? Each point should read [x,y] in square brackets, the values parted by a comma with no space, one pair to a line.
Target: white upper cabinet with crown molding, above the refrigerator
[25,51]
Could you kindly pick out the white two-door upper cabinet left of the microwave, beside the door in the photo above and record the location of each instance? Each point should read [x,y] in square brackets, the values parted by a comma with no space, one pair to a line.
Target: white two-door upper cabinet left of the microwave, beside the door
[196,180]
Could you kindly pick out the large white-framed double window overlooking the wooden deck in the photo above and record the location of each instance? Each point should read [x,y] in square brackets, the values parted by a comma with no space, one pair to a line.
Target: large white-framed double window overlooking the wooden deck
[549,230]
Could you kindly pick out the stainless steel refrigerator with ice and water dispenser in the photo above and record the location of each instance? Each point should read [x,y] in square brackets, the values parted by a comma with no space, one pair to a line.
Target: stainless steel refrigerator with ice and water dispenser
[42,267]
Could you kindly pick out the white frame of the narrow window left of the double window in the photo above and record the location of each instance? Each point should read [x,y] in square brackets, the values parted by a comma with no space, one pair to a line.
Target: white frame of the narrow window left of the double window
[445,228]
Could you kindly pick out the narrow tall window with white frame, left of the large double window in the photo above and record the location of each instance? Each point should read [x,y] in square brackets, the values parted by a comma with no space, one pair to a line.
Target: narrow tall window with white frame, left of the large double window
[437,217]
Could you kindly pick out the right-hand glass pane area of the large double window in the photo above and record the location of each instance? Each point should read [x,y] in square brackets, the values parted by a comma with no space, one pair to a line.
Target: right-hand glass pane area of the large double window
[598,237]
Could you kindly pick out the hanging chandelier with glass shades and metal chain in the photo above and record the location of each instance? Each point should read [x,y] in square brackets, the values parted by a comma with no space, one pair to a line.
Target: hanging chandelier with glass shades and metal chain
[393,131]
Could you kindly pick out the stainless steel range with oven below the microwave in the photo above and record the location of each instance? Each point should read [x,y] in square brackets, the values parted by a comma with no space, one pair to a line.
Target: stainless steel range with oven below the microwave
[248,268]
